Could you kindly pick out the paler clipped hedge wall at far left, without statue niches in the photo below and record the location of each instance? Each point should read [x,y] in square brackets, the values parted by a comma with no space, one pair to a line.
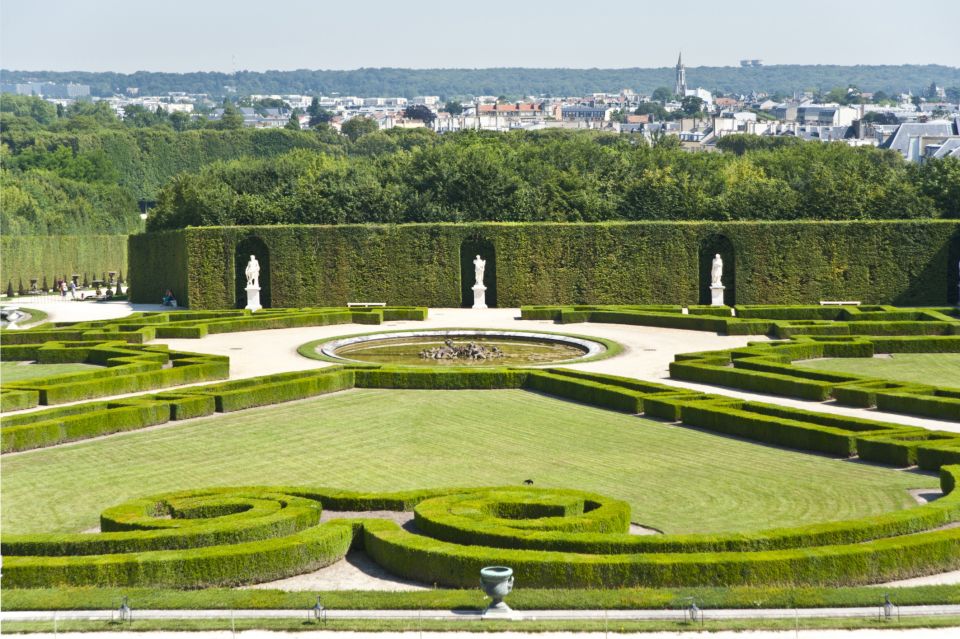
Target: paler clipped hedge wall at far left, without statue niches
[27,256]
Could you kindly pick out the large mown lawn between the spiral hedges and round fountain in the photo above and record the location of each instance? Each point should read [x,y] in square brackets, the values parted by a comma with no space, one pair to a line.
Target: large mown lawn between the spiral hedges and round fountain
[676,479]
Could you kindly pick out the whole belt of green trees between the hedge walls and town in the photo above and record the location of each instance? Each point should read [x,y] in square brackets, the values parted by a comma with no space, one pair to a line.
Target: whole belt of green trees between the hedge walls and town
[82,170]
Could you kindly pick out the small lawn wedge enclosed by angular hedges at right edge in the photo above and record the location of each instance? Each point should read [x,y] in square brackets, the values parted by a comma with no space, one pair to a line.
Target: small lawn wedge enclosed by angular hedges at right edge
[940,369]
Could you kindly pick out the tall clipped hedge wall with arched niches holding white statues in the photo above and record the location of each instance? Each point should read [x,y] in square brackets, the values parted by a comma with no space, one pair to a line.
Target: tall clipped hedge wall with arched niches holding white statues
[898,262]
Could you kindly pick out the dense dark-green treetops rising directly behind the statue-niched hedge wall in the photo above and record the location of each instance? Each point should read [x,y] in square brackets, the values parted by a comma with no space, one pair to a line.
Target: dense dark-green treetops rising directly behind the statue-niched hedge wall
[551,176]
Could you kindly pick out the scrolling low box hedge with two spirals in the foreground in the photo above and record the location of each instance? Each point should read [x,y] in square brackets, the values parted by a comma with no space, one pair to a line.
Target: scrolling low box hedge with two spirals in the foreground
[551,538]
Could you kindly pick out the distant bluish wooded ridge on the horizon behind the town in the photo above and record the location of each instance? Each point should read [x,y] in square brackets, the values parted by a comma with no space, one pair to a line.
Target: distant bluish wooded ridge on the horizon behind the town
[450,83]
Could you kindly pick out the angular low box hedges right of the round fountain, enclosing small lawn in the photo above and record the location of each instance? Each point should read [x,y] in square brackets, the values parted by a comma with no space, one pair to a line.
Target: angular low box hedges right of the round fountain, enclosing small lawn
[809,332]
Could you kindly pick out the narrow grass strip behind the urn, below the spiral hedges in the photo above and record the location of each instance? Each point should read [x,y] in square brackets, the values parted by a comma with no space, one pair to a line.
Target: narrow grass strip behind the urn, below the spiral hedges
[473,600]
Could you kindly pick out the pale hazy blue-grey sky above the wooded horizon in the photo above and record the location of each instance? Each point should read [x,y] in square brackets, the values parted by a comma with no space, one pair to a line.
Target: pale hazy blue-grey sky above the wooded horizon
[220,35]
